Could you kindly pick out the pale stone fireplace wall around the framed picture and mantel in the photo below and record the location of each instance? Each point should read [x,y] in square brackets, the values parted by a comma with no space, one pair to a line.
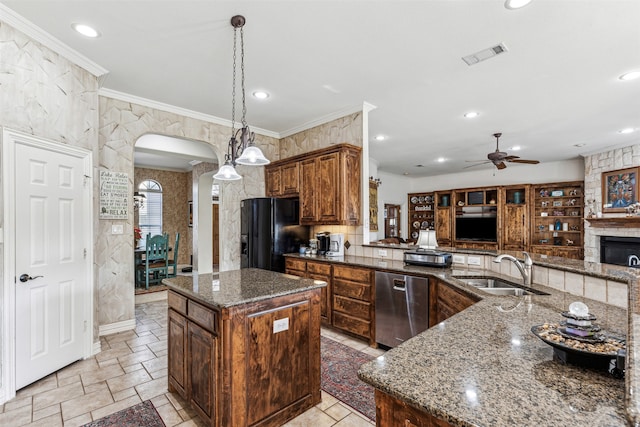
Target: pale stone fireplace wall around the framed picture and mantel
[594,165]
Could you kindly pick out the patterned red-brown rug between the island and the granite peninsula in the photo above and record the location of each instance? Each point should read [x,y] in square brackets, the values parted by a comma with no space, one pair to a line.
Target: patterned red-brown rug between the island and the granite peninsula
[340,366]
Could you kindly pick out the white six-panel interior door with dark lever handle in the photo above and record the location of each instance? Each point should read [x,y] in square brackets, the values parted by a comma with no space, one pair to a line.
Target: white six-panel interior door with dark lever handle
[51,265]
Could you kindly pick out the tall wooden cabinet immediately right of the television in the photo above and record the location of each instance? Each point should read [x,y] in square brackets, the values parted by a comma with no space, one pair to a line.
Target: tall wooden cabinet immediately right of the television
[514,217]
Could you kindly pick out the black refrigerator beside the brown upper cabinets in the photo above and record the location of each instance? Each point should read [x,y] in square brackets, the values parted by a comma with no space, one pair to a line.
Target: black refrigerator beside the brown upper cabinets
[270,228]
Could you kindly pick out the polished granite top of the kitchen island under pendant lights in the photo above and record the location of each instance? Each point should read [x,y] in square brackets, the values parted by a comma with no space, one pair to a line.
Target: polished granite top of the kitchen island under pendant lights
[231,288]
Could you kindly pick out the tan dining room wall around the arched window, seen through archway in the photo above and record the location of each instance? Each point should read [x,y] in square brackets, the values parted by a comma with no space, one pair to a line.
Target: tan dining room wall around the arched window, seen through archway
[176,192]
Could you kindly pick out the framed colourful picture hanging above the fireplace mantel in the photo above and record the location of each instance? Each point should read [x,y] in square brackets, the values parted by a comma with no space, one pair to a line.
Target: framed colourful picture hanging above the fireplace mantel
[619,189]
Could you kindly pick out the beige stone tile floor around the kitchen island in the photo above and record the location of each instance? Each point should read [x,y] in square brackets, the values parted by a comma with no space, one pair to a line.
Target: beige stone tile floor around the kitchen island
[131,368]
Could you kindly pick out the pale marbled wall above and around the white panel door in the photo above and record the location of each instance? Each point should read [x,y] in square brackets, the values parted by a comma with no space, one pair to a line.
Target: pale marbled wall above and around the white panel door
[44,94]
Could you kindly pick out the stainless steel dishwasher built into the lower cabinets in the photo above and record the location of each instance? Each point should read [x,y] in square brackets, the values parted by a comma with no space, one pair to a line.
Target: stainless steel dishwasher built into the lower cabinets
[402,307]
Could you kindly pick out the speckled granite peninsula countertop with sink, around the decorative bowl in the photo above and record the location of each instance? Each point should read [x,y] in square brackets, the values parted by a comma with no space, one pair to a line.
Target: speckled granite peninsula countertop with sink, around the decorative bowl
[484,366]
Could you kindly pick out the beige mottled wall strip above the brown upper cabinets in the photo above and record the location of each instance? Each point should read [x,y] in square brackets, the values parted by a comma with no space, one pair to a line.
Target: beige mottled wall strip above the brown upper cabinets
[346,129]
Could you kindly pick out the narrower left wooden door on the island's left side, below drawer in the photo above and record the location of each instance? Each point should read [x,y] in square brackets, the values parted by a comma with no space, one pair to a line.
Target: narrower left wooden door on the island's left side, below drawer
[177,338]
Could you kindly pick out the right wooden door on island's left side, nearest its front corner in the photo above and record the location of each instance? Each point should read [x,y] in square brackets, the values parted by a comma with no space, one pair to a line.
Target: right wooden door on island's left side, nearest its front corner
[202,373]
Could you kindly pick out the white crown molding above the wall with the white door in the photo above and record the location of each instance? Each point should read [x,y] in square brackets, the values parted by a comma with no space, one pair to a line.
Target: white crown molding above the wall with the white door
[21,24]
